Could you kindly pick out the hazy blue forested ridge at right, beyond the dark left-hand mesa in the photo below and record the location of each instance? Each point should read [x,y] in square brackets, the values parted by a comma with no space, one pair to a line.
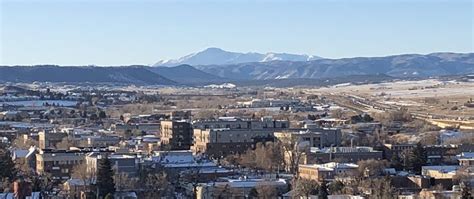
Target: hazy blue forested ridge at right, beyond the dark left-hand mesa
[409,65]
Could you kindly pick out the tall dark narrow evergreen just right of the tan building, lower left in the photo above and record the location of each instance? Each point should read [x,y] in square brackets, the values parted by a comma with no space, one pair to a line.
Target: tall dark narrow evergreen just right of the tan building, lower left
[105,182]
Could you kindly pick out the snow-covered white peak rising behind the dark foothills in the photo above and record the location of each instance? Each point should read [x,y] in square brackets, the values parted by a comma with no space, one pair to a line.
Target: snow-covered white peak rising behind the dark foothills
[217,56]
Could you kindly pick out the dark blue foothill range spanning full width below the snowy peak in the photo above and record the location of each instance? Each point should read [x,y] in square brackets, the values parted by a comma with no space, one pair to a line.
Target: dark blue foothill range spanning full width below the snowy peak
[319,71]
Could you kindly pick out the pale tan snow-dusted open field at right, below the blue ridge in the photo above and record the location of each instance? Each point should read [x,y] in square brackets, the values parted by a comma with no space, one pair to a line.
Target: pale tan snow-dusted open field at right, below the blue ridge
[434,98]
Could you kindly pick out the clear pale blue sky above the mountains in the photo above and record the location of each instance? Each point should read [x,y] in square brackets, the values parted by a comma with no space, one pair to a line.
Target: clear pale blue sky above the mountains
[123,32]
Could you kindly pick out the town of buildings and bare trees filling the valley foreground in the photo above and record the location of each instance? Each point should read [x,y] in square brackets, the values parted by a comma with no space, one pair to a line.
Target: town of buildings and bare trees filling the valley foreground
[96,145]
